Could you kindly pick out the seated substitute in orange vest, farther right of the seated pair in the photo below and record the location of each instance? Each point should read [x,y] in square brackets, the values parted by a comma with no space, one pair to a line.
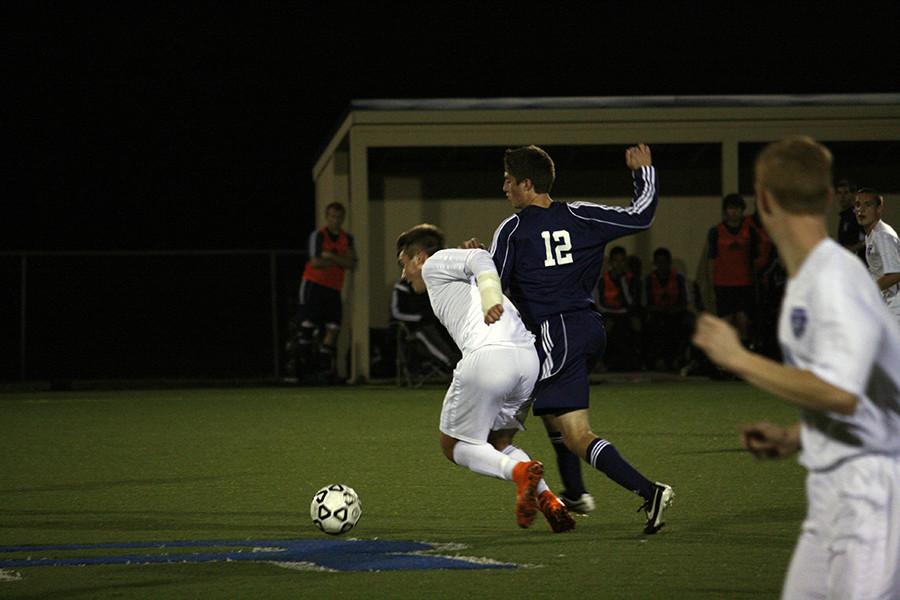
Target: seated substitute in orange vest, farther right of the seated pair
[669,323]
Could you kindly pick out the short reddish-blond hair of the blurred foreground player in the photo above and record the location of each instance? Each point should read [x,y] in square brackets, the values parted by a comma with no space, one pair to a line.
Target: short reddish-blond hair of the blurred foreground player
[797,172]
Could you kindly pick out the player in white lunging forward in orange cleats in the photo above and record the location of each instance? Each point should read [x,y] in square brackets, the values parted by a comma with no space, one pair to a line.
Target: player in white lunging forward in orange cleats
[489,396]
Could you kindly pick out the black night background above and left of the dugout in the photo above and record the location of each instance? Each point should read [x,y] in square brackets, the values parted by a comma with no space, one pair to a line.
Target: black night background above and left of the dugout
[148,127]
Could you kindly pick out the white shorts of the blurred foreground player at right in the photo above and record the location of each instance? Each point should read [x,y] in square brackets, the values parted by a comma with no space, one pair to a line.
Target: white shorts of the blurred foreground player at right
[849,546]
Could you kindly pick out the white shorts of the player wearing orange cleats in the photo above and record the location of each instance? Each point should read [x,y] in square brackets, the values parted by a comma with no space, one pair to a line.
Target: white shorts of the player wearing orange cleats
[491,390]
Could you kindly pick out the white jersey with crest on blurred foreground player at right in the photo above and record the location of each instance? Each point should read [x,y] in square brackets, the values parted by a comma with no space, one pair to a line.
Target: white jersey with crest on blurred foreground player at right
[834,324]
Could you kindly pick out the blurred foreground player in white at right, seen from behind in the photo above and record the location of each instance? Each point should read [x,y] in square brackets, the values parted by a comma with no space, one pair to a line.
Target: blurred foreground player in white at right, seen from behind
[842,369]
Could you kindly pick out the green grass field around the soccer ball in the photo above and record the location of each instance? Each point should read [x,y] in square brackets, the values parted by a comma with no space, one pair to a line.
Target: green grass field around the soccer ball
[80,468]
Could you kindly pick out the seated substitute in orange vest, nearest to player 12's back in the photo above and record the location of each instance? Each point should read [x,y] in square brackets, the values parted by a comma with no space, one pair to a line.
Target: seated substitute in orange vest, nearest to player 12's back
[618,300]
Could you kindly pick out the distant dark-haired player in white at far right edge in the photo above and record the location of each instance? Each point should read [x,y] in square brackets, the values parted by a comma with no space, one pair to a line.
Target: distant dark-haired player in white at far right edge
[882,247]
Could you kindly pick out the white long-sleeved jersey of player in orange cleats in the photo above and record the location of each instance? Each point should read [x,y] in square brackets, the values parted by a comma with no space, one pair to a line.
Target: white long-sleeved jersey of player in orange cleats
[450,279]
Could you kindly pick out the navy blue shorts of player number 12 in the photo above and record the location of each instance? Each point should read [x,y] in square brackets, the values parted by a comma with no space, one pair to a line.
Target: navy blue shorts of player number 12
[568,345]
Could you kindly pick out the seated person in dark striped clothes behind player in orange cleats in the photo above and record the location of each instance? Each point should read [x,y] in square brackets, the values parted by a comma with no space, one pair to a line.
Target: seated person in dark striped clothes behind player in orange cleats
[414,311]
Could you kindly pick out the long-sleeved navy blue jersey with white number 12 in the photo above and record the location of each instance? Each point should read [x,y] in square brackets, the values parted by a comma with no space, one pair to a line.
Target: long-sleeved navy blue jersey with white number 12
[549,259]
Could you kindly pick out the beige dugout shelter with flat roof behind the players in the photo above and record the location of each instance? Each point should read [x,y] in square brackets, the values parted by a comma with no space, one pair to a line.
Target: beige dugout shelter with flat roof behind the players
[396,163]
